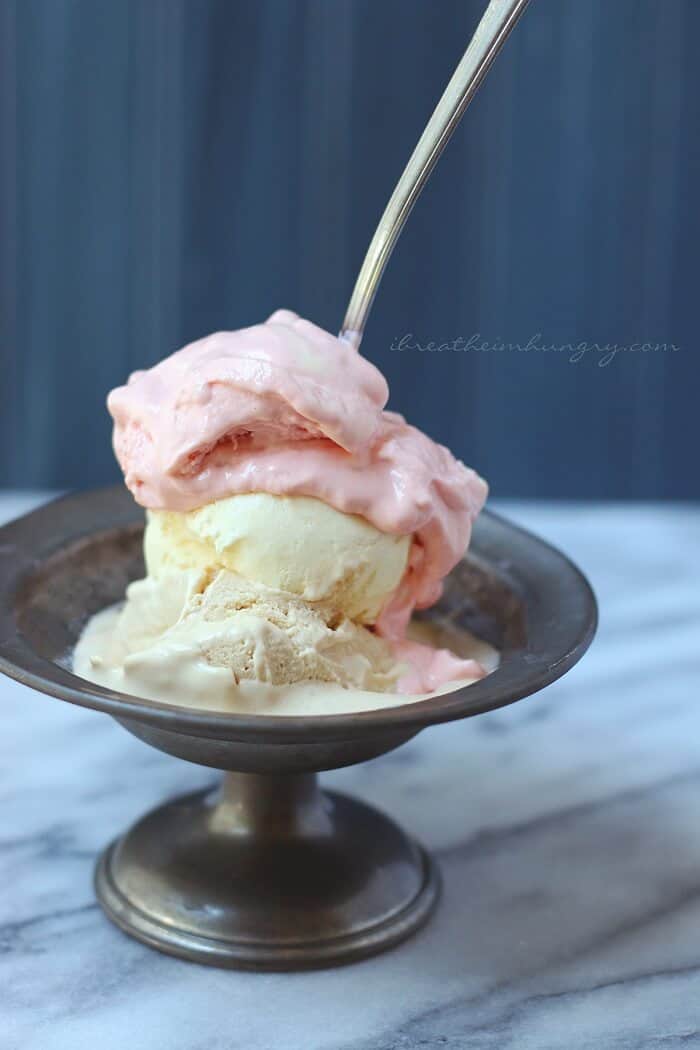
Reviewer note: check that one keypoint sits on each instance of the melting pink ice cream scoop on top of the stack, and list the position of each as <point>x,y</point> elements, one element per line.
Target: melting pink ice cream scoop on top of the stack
<point>287,409</point>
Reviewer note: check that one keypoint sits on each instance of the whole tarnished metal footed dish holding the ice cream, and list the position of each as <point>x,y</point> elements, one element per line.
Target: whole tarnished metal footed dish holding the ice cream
<point>266,871</point>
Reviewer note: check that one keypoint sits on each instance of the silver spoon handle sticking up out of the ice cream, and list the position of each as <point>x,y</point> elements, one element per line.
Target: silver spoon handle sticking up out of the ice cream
<point>497,23</point>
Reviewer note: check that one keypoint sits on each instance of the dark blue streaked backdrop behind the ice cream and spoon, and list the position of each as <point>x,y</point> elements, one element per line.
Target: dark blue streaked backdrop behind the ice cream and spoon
<point>172,167</point>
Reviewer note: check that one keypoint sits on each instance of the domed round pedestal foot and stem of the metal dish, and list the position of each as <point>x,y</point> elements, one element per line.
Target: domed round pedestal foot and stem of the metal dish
<point>267,873</point>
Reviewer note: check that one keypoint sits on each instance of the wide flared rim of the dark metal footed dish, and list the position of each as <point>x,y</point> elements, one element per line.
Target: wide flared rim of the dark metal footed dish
<point>561,613</point>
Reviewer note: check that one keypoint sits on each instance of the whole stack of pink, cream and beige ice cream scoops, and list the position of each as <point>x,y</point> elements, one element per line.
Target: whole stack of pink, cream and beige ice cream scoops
<point>293,526</point>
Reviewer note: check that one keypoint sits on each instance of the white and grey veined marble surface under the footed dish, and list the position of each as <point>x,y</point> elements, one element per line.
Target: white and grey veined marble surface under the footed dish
<point>567,828</point>
